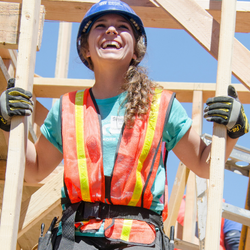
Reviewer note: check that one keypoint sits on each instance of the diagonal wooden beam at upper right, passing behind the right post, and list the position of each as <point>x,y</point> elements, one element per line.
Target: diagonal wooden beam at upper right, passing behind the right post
<point>205,30</point>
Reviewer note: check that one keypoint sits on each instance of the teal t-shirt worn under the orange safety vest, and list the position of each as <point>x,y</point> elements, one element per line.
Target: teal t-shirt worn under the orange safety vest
<point>112,117</point>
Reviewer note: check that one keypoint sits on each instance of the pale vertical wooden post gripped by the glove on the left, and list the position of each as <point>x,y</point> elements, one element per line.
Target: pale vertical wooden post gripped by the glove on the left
<point>18,135</point>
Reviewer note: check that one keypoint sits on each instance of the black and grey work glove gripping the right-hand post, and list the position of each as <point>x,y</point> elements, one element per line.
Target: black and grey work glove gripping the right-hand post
<point>228,110</point>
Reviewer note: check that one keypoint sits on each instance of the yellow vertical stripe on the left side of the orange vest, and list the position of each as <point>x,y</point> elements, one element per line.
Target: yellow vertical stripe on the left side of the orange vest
<point>82,164</point>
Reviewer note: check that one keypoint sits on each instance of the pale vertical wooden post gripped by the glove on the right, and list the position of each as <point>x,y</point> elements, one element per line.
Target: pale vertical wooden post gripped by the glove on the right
<point>224,73</point>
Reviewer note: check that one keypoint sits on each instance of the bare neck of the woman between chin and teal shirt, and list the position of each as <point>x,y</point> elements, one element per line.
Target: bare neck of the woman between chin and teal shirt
<point>108,82</point>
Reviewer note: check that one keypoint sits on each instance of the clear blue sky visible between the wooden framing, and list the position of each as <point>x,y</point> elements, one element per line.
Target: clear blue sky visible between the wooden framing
<point>172,56</point>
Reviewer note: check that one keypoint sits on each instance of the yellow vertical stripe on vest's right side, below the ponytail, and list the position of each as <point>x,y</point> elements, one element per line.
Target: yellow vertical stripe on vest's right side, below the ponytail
<point>146,147</point>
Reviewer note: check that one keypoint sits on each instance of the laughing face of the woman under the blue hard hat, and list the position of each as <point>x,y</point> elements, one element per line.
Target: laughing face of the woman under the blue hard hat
<point>111,39</point>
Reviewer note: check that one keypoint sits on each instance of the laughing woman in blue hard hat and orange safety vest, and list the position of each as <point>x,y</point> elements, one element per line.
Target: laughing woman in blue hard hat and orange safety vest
<point>110,139</point>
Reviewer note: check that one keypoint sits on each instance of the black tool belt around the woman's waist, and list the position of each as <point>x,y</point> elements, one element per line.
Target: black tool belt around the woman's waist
<point>84,211</point>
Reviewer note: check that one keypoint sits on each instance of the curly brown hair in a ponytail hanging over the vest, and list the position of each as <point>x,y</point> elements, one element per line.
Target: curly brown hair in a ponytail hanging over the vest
<point>139,87</point>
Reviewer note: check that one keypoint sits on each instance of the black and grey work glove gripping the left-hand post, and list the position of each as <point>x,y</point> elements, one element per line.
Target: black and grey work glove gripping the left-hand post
<point>14,101</point>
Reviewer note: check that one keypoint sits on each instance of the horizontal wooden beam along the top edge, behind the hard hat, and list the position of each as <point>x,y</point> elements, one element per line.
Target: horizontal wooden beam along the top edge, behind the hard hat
<point>73,11</point>
